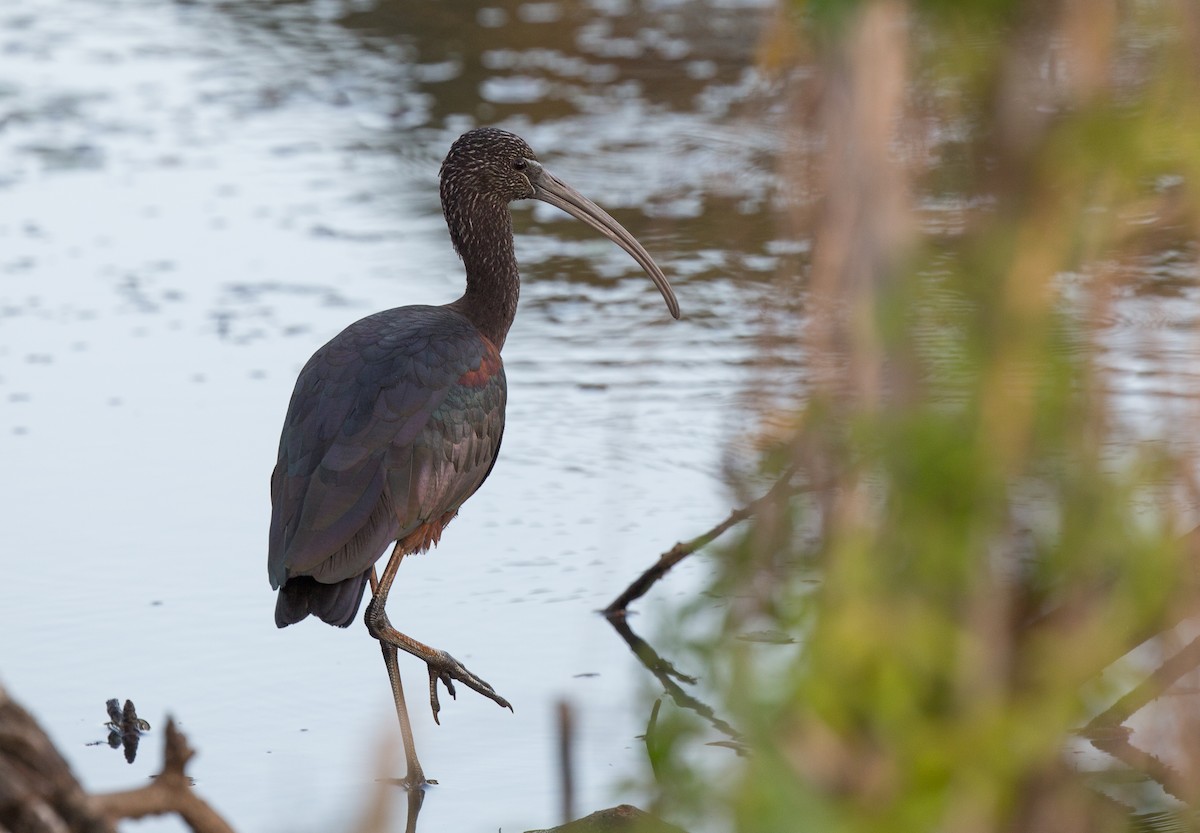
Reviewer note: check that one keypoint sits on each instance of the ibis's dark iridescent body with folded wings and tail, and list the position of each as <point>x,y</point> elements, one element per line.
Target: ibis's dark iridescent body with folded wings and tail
<point>392,427</point>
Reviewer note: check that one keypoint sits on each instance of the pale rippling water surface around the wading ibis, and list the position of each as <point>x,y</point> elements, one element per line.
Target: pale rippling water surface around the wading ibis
<point>194,196</point>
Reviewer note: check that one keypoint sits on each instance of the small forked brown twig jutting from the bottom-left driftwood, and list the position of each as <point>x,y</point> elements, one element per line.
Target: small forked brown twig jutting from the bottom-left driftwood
<point>170,793</point>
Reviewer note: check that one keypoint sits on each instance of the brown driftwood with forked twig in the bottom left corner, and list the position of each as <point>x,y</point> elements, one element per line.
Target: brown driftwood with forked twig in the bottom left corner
<point>39,794</point>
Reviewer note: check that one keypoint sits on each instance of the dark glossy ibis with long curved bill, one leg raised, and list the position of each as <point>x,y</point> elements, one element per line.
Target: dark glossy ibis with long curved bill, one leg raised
<point>398,421</point>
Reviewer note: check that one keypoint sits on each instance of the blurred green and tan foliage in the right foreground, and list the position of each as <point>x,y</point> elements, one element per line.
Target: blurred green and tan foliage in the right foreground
<point>980,540</point>
